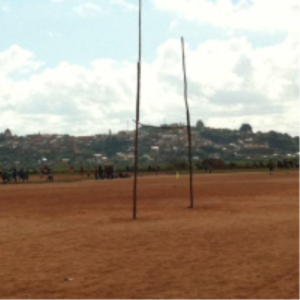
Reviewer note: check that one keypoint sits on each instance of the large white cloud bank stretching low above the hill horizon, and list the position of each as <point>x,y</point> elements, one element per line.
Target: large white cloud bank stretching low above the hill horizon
<point>229,82</point>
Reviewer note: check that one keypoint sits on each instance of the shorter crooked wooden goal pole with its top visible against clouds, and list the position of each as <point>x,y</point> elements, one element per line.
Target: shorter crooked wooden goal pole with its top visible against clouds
<point>188,124</point>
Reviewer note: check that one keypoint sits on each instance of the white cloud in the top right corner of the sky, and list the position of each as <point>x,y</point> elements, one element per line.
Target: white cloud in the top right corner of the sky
<point>265,15</point>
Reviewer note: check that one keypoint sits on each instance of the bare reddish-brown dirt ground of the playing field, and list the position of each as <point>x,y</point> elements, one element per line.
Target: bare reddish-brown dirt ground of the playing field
<point>240,241</point>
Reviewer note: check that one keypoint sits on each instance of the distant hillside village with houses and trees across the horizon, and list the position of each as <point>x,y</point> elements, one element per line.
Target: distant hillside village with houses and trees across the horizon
<point>157,146</point>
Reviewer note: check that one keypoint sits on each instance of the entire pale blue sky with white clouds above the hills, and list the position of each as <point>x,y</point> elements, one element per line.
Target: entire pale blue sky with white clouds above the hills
<point>69,66</point>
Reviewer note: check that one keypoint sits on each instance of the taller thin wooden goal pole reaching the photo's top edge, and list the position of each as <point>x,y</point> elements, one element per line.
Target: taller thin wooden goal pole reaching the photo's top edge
<point>136,149</point>
